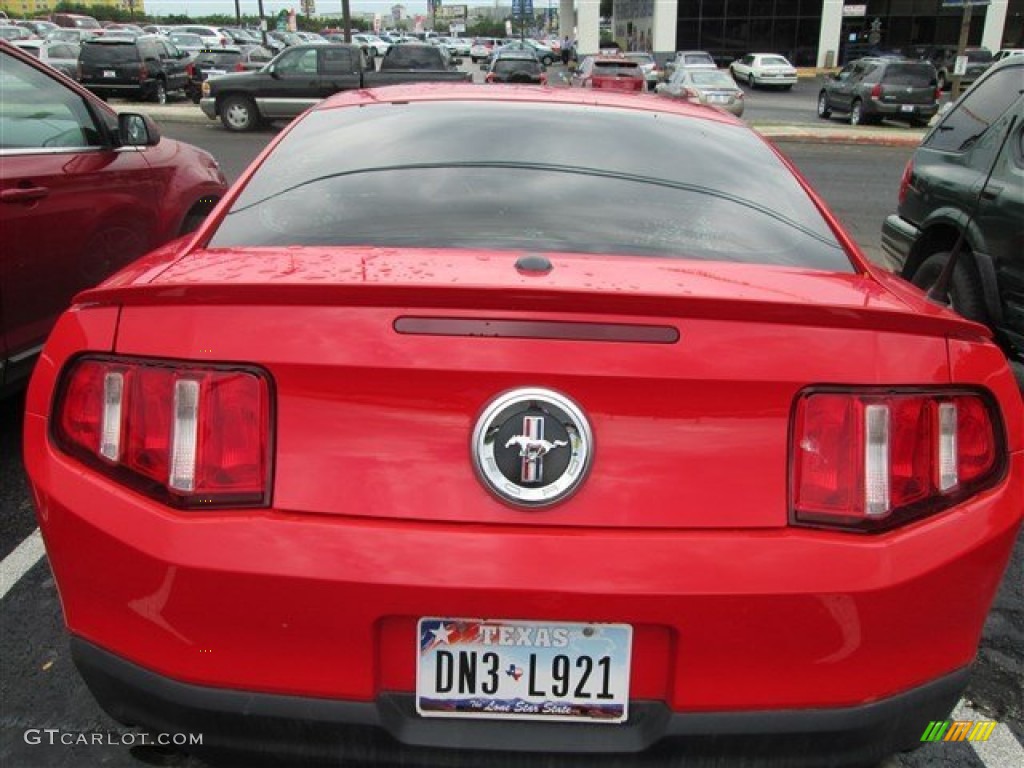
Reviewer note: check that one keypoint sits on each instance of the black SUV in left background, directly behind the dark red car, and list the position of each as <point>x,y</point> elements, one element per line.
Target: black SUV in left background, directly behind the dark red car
<point>148,67</point>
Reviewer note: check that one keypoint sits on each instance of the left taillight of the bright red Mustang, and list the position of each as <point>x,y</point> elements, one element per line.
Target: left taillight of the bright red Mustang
<point>189,436</point>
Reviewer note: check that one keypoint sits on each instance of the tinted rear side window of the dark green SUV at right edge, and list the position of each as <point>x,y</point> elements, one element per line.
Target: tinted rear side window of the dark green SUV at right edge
<point>979,108</point>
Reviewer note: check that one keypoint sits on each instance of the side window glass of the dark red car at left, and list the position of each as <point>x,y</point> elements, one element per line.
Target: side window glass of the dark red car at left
<point>37,112</point>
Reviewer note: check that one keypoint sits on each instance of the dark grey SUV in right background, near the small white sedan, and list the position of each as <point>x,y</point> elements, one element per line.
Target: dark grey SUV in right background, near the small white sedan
<point>871,90</point>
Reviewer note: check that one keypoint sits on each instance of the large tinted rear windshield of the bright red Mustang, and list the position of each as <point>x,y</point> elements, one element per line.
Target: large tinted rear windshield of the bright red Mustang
<point>681,188</point>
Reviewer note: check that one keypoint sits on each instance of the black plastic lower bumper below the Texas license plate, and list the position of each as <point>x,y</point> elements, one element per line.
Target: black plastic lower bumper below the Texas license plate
<point>389,732</point>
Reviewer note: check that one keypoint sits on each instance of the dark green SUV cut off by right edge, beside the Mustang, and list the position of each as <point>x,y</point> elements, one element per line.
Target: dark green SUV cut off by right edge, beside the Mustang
<point>942,192</point>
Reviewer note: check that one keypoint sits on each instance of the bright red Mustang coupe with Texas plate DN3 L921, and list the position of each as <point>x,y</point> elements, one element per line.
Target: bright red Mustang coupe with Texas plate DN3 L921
<point>633,451</point>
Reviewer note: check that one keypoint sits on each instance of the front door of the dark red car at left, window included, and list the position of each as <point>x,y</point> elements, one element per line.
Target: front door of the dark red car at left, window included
<point>73,209</point>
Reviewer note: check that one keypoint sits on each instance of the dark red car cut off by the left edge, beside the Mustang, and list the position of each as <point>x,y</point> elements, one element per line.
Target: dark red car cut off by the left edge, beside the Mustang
<point>75,206</point>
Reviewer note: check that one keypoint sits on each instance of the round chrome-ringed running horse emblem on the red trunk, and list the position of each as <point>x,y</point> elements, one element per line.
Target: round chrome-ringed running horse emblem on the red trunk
<point>533,447</point>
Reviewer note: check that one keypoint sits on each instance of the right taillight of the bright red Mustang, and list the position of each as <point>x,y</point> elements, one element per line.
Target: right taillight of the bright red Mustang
<point>870,461</point>
